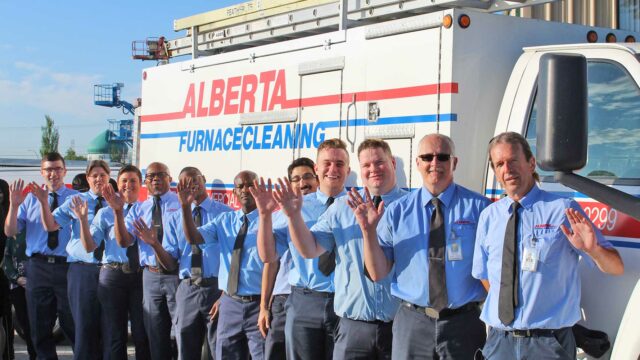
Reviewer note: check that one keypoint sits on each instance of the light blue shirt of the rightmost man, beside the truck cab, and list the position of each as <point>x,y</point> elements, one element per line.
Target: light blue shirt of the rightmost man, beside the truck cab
<point>548,298</point>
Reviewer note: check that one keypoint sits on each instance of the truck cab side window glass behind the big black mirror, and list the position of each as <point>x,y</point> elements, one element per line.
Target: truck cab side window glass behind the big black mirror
<point>614,126</point>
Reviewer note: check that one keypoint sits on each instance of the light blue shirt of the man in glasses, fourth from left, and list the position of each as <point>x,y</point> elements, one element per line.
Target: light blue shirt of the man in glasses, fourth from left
<point>169,204</point>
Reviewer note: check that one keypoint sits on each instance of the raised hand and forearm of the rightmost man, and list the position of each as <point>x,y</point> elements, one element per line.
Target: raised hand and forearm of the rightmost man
<point>583,237</point>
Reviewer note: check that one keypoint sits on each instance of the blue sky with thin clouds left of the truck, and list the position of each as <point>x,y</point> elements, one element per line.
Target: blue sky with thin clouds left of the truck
<point>53,52</point>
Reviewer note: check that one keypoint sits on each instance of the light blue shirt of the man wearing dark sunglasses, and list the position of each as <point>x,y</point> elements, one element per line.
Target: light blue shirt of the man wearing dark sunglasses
<point>404,235</point>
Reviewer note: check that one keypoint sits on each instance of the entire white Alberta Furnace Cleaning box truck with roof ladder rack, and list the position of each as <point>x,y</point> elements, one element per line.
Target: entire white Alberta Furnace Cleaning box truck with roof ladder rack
<point>268,81</point>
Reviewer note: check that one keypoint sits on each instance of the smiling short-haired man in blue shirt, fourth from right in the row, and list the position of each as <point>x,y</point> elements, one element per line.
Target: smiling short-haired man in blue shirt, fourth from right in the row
<point>311,319</point>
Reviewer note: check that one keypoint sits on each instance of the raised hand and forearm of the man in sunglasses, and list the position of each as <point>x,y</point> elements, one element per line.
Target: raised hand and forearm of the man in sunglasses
<point>368,216</point>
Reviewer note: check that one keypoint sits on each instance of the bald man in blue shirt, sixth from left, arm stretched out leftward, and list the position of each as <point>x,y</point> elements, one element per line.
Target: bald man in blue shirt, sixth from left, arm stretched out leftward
<point>240,273</point>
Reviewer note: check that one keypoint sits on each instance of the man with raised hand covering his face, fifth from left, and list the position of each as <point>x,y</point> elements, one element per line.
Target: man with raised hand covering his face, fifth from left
<point>198,289</point>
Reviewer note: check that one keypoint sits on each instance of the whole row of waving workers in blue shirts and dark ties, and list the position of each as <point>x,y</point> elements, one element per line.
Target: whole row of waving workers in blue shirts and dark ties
<point>306,269</point>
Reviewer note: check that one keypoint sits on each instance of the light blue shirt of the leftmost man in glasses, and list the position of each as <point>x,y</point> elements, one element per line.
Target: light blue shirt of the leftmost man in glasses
<point>30,219</point>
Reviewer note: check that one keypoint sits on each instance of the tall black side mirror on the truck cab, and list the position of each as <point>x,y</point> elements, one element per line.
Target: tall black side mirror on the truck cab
<point>562,112</point>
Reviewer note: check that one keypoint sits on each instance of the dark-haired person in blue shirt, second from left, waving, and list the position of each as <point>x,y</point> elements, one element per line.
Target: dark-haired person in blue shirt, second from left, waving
<point>84,266</point>
